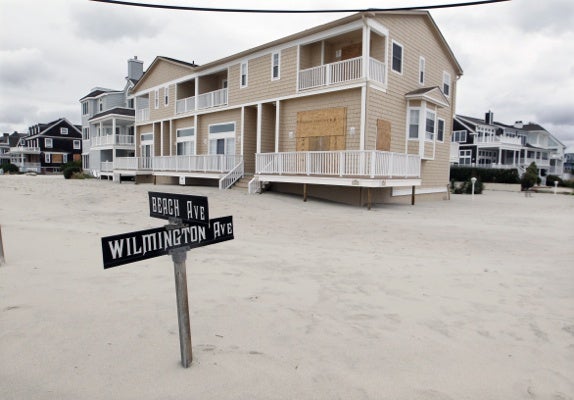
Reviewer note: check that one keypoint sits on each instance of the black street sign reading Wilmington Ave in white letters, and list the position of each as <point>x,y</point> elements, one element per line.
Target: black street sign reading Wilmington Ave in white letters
<point>130,247</point>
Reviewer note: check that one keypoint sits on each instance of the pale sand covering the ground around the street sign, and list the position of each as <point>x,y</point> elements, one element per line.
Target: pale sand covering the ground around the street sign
<point>460,299</point>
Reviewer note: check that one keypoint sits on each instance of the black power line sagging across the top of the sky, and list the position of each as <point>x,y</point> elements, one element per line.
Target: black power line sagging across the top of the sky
<point>263,11</point>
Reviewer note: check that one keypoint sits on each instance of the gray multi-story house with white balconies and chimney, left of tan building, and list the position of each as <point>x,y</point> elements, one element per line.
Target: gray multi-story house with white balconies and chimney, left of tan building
<point>108,124</point>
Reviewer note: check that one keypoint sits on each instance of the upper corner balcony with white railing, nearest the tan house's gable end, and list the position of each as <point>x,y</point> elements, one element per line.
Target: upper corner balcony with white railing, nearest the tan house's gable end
<point>341,59</point>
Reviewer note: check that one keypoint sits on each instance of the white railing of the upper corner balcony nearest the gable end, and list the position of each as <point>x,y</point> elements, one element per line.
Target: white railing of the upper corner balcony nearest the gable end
<point>339,72</point>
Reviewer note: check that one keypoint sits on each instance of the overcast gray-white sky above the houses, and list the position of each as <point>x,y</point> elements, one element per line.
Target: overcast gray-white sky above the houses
<point>517,56</point>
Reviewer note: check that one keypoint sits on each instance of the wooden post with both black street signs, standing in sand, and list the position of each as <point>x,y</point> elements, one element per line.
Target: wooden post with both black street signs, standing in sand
<point>189,227</point>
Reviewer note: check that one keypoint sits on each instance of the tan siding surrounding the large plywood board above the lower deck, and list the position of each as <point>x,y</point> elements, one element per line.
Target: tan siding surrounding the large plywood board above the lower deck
<point>349,99</point>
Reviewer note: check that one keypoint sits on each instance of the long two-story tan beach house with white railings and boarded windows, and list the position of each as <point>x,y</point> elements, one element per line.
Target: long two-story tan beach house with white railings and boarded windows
<point>358,110</point>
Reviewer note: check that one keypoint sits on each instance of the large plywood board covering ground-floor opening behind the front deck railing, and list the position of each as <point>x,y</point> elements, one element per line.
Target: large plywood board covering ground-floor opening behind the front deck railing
<point>322,130</point>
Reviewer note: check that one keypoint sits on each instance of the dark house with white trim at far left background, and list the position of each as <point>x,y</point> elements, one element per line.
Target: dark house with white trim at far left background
<point>47,146</point>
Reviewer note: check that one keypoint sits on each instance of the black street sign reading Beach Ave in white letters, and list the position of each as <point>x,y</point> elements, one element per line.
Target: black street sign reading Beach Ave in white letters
<point>188,208</point>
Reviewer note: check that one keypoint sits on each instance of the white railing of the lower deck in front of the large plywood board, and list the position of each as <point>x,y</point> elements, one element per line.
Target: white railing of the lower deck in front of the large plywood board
<point>349,163</point>
